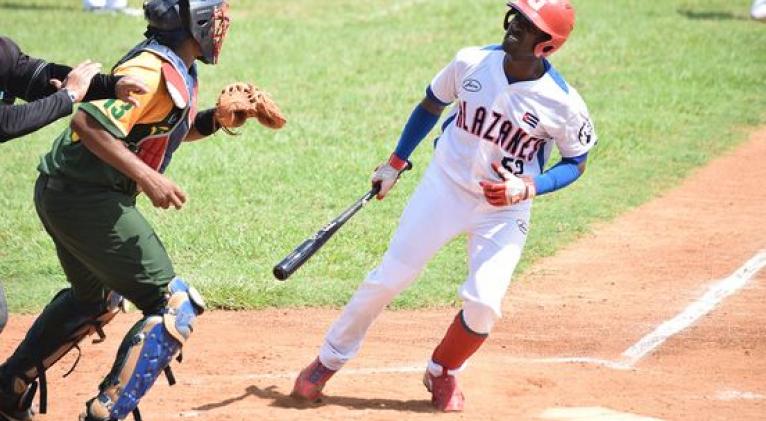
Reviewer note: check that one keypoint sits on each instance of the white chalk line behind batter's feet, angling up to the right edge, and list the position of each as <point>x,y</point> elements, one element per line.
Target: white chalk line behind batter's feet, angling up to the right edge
<point>715,295</point>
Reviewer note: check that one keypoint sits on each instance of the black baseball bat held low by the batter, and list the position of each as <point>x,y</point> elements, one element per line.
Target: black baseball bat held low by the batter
<point>303,252</point>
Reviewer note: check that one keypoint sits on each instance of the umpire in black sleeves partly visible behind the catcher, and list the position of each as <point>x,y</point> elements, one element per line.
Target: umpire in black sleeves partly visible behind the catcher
<point>51,90</point>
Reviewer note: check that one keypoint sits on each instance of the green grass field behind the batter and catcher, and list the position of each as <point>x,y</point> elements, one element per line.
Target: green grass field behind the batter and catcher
<point>671,84</point>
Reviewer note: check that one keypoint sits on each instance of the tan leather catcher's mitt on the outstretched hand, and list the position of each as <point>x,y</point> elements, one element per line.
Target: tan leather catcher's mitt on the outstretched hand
<point>240,101</point>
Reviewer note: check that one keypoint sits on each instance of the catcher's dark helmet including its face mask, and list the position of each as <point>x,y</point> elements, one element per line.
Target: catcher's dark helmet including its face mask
<point>206,21</point>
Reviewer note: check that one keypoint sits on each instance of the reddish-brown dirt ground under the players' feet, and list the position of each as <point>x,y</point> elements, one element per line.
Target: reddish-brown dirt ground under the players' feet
<point>578,334</point>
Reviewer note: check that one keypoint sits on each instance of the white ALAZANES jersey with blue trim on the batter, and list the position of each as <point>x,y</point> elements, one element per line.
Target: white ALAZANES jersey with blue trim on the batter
<point>495,119</point>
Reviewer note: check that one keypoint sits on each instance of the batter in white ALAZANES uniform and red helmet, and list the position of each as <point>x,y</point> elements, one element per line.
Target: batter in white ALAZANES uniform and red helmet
<point>511,108</point>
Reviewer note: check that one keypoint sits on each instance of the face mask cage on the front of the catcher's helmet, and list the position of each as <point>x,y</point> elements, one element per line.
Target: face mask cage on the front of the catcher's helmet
<point>208,22</point>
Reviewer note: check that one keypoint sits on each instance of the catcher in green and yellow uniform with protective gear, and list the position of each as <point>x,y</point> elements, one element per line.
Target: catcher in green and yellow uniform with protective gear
<point>85,197</point>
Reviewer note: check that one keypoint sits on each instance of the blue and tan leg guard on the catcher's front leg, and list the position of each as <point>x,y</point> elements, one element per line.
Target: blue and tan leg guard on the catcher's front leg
<point>145,352</point>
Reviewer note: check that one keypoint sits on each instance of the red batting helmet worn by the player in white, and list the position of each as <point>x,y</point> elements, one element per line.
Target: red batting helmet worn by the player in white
<point>554,17</point>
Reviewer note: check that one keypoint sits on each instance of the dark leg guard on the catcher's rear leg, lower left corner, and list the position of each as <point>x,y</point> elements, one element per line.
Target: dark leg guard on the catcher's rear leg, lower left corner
<point>59,328</point>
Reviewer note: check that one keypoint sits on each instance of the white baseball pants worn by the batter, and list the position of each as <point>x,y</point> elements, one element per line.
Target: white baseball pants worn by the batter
<point>438,211</point>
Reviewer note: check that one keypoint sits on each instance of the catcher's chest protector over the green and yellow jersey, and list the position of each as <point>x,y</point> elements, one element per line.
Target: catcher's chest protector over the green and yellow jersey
<point>155,142</point>
